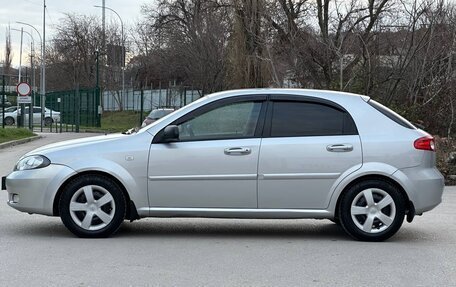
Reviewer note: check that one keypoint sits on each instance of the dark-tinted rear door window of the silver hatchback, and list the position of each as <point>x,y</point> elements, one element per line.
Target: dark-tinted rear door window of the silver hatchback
<point>291,119</point>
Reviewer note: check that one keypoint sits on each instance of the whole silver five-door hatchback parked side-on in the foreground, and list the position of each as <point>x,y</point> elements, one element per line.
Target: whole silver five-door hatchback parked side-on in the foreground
<point>258,153</point>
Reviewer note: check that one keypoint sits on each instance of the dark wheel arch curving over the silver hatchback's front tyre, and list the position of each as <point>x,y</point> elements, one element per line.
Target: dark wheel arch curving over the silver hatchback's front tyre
<point>131,211</point>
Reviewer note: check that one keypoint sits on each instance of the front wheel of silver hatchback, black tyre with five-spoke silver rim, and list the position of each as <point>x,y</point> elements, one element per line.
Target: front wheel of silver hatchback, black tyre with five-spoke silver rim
<point>92,206</point>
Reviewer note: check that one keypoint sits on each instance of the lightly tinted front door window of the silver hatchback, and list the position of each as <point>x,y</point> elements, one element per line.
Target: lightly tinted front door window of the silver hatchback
<point>237,120</point>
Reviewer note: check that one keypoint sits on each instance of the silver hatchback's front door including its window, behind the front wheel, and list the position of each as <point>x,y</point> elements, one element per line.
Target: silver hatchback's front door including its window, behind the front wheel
<point>214,163</point>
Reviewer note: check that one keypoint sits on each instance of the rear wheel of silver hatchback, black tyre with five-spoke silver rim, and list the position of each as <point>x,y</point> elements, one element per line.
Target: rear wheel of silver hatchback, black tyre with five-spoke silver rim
<point>372,210</point>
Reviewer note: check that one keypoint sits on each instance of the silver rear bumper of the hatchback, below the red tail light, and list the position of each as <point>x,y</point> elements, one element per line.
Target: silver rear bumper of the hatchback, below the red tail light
<point>424,186</point>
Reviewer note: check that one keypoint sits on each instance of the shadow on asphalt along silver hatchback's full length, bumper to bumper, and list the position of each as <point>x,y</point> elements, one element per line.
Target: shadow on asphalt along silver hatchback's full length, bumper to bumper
<point>181,228</point>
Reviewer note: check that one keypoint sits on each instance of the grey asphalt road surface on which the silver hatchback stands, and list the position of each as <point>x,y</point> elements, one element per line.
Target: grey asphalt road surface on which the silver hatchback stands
<point>38,250</point>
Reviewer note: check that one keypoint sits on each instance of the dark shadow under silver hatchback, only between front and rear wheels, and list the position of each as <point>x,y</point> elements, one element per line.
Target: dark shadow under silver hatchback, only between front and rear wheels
<point>233,228</point>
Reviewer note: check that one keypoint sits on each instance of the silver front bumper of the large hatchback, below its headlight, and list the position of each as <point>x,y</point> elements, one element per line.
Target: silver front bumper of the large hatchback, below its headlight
<point>33,191</point>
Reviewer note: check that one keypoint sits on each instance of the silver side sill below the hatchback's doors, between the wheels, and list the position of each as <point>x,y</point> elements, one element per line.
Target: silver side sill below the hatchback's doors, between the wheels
<point>235,213</point>
